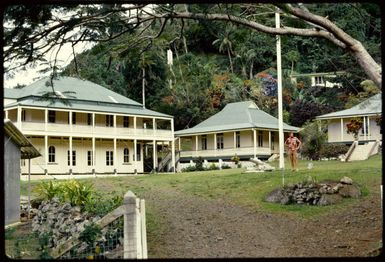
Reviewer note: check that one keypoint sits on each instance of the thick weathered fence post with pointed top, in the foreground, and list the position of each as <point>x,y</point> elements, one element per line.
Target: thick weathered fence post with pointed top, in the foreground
<point>130,225</point>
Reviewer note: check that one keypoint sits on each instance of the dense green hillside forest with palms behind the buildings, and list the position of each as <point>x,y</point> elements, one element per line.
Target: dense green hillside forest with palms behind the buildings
<point>216,63</point>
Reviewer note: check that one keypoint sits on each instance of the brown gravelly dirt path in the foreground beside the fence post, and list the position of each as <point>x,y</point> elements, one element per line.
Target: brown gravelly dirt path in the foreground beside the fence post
<point>204,228</point>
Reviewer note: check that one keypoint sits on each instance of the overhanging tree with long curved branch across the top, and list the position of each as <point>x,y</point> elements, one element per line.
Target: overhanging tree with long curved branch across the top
<point>32,31</point>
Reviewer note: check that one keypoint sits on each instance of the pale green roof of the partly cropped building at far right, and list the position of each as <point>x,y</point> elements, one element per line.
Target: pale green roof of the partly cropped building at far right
<point>371,106</point>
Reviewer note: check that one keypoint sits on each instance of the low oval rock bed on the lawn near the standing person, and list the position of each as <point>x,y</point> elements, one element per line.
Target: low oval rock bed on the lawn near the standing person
<point>311,193</point>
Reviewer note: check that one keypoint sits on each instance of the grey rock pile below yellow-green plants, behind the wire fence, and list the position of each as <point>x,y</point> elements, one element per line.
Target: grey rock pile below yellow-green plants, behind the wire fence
<point>61,221</point>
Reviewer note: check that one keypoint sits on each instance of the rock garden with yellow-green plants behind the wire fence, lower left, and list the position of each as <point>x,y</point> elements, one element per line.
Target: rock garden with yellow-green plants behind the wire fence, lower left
<point>57,215</point>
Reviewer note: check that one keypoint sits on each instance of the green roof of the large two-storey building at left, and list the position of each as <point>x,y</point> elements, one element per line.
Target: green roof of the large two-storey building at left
<point>88,96</point>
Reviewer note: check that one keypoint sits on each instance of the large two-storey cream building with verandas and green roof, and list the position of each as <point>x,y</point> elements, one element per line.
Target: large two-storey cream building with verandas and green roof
<point>80,127</point>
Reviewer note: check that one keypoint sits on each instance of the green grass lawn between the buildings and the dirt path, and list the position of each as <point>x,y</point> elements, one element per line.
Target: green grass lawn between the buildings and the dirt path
<point>249,189</point>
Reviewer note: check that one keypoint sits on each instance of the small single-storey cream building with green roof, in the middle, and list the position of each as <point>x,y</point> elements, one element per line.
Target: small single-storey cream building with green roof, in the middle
<point>240,129</point>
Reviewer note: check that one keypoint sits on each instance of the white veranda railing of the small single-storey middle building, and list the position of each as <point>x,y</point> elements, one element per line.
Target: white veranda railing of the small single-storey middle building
<point>226,152</point>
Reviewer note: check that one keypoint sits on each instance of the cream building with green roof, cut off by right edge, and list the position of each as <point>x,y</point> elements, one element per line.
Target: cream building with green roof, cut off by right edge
<point>369,111</point>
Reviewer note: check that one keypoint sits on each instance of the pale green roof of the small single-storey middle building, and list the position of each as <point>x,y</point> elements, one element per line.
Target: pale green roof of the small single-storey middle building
<point>236,116</point>
